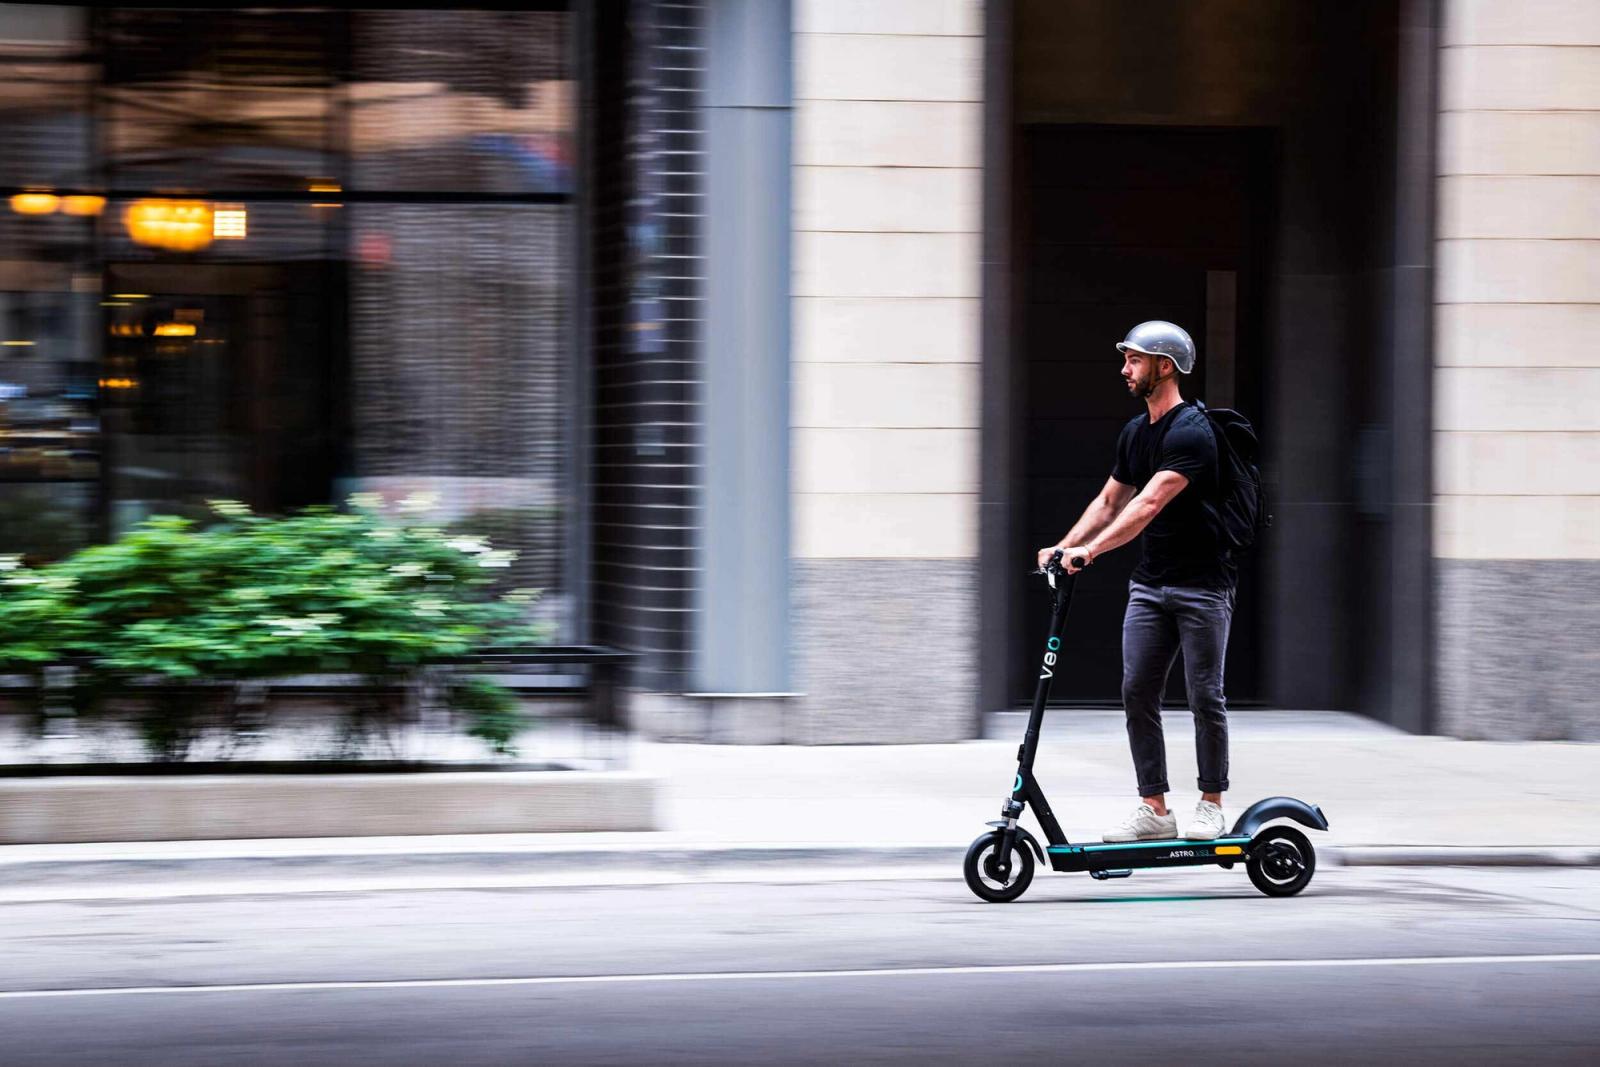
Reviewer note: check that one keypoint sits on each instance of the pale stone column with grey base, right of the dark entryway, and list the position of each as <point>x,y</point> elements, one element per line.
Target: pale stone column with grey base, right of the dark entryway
<point>1518,378</point>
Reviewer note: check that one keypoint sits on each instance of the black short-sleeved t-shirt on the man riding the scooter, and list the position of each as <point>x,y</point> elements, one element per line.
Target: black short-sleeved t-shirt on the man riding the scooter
<point>1180,545</point>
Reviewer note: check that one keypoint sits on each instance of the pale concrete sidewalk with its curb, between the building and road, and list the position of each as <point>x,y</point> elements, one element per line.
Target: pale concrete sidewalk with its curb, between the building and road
<point>1390,799</point>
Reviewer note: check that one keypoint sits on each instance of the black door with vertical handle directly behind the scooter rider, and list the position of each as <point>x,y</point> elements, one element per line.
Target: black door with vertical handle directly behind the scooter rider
<point>1118,226</point>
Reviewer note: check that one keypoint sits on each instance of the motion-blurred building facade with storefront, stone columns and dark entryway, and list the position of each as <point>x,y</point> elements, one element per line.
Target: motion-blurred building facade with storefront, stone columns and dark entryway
<point>778,334</point>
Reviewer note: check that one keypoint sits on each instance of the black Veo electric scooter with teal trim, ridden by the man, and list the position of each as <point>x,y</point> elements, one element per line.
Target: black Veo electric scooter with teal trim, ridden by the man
<point>1001,865</point>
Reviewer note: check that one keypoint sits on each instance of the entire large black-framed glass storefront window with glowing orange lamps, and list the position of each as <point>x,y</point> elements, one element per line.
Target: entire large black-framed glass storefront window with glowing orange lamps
<point>281,257</point>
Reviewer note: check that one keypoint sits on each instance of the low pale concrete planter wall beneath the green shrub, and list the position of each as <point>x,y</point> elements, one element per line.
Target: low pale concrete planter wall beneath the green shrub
<point>225,807</point>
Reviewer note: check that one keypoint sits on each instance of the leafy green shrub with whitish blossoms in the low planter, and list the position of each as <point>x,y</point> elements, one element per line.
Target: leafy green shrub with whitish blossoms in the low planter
<point>174,610</point>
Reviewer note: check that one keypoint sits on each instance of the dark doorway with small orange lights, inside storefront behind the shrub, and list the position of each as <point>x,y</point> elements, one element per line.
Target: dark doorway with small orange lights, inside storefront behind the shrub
<point>223,383</point>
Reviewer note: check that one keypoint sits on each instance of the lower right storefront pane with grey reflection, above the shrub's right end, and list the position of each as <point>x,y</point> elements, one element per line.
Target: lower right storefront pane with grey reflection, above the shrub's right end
<point>458,330</point>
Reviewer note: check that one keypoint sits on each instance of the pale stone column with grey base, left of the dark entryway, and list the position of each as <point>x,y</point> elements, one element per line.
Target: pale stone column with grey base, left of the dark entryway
<point>887,182</point>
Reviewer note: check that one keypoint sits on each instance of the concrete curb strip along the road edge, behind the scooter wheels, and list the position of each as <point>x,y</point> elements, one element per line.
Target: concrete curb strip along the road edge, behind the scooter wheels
<point>684,860</point>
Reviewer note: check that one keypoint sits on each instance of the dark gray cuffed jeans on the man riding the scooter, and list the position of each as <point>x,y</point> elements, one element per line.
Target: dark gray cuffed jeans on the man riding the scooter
<point>1159,625</point>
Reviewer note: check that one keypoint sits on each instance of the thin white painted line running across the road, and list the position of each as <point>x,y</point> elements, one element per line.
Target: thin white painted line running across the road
<point>754,977</point>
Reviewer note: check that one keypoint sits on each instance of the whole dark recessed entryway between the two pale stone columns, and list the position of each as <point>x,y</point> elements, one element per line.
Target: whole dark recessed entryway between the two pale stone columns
<point>1262,174</point>
